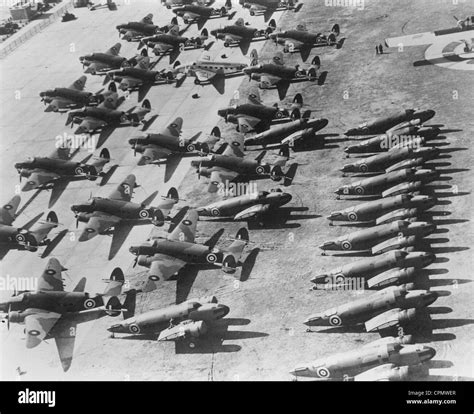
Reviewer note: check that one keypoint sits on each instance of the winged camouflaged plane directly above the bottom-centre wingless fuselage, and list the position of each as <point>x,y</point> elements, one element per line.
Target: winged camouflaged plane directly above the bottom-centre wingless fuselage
<point>165,256</point>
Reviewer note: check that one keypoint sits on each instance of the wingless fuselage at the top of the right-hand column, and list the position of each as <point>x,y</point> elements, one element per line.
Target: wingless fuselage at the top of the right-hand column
<point>382,124</point>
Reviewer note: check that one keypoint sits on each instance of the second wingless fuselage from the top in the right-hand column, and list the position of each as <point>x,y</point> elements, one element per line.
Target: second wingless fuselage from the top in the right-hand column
<point>399,134</point>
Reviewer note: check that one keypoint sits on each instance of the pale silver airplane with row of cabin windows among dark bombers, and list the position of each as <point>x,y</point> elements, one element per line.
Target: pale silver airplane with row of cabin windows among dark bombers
<point>213,72</point>
